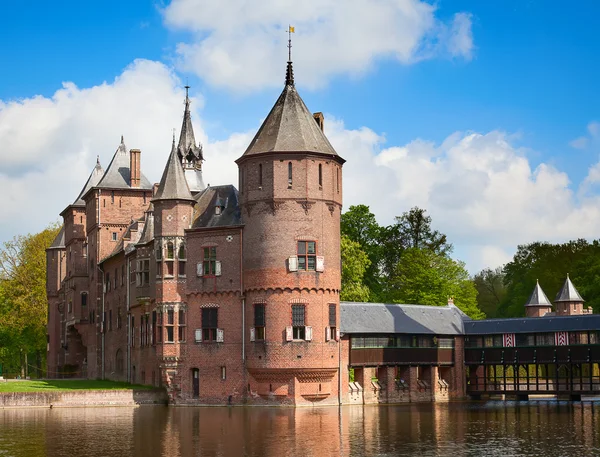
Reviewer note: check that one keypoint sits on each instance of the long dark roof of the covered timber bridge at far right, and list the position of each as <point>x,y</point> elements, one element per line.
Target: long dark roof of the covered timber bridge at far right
<point>534,324</point>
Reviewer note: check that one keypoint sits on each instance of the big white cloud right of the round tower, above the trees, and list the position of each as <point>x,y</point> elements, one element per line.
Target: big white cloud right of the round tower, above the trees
<point>480,190</point>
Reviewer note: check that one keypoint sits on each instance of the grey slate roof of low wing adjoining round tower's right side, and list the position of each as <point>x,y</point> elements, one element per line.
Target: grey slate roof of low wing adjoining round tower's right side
<point>391,318</point>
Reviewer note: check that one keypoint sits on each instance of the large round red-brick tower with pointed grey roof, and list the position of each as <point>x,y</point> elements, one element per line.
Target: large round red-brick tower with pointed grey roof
<point>290,181</point>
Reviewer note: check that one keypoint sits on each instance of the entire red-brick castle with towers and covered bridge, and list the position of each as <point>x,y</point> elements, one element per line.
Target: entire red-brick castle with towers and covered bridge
<point>232,296</point>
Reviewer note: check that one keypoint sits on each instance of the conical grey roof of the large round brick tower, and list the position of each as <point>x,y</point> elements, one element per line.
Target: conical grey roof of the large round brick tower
<point>290,127</point>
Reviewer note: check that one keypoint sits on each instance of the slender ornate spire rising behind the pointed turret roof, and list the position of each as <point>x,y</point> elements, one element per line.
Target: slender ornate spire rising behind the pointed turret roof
<point>190,154</point>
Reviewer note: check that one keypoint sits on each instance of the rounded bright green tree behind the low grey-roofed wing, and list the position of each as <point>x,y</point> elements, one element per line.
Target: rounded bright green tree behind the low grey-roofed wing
<point>426,278</point>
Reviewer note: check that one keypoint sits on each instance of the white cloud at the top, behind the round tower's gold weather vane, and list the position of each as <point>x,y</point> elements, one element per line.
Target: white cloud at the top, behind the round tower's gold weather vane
<point>243,47</point>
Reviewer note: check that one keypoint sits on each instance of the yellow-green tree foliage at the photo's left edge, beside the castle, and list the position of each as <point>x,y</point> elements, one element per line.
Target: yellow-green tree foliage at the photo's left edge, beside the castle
<point>23,303</point>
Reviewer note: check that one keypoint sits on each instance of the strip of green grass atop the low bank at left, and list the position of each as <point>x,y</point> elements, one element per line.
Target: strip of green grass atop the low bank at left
<point>61,385</point>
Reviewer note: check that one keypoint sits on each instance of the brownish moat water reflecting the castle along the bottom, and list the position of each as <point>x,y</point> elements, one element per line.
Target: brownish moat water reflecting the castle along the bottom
<point>457,429</point>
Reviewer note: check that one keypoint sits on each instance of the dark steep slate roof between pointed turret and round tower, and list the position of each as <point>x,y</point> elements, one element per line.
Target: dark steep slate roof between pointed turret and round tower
<point>225,197</point>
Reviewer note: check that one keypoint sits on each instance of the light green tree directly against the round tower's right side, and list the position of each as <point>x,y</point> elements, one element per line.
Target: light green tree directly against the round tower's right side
<point>354,265</point>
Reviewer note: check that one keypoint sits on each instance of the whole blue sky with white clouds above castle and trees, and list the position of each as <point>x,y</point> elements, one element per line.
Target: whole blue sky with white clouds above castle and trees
<point>486,114</point>
